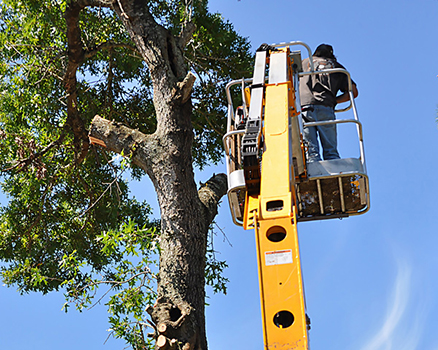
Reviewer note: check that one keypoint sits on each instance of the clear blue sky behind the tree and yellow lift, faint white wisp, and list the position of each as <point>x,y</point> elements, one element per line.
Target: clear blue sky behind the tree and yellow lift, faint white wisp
<point>371,280</point>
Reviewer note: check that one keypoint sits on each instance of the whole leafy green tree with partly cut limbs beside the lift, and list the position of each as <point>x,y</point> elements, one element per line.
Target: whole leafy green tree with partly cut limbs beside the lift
<point>144,79</point>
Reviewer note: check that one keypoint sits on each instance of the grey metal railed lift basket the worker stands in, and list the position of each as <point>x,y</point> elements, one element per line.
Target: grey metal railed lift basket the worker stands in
<point>332,189</point>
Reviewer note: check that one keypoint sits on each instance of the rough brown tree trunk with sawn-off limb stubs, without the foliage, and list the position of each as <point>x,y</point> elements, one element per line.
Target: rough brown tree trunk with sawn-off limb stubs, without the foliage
<point>186,213</point>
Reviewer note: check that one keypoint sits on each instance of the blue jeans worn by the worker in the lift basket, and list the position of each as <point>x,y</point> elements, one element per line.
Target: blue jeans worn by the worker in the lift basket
<point>327,133</point>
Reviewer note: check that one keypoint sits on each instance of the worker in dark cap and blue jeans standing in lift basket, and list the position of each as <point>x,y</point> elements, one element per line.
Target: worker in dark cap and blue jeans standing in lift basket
<point>318,96</point>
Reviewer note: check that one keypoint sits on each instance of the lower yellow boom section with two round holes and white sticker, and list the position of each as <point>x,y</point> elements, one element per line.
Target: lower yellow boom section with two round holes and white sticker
<point>281,285</point>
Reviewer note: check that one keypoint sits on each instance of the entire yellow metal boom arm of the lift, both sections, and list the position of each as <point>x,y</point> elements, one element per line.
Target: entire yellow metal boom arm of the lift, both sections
<point>272,214</point>
